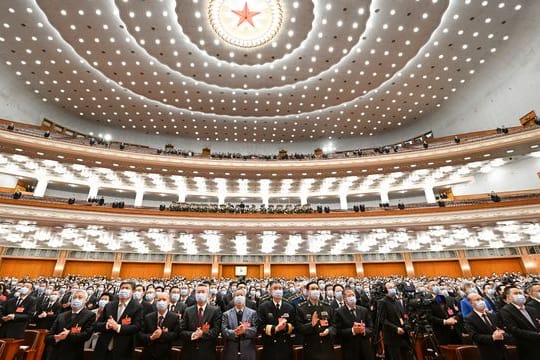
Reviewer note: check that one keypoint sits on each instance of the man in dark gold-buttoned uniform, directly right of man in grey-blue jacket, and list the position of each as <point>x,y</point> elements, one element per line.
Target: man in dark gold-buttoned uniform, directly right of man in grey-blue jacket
<point>275,323</point>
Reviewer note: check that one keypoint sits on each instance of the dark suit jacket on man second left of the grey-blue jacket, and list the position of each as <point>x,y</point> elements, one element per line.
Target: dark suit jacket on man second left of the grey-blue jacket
<point>159,348</point>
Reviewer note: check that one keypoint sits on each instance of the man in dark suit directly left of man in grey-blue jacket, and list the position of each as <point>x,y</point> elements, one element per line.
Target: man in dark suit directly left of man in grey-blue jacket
<point>200,327</point>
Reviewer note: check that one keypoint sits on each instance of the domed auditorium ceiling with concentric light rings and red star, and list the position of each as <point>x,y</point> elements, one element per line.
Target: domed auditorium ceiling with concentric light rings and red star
<point>253,71</point>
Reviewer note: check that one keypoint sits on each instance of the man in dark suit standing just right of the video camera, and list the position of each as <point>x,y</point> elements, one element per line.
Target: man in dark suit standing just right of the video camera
<point>444,316</point>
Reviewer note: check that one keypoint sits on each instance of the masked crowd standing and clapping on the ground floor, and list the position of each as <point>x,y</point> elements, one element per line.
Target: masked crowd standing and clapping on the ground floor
<point>365,316</point>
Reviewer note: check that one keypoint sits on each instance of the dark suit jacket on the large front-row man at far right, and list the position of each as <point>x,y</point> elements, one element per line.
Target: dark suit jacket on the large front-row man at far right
<point>525,334</point>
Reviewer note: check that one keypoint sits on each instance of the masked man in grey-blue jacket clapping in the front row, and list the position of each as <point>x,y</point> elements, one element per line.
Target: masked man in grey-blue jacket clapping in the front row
<point>239,330</point>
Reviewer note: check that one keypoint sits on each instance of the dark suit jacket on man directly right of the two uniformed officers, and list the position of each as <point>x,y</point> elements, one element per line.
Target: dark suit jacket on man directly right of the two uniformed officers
<point>354,346</point>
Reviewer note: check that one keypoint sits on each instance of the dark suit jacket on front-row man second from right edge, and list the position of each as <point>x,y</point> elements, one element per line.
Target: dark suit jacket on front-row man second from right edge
<point>481,334</point>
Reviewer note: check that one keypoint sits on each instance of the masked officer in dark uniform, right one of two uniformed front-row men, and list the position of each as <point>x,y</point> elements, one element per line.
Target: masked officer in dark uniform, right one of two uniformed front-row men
<point>315,320</point>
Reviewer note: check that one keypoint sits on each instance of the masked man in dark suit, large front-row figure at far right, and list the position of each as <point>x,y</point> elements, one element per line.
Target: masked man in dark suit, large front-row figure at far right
<point>521,322</point>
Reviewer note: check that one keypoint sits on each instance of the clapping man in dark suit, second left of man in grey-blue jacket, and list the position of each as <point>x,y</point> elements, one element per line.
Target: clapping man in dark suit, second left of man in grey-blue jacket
<point>159,330</point>
